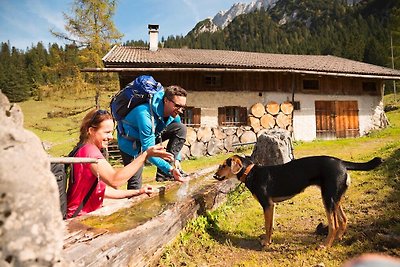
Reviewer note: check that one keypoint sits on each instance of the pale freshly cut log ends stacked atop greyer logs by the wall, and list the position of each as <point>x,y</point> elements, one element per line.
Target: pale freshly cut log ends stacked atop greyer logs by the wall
<point>271,116</point>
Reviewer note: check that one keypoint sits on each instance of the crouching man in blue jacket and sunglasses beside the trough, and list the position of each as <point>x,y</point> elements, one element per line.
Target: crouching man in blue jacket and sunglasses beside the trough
<point>149,124</point>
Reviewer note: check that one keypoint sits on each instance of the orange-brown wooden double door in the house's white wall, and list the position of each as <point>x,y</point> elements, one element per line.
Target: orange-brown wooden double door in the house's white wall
<point>336,119</point>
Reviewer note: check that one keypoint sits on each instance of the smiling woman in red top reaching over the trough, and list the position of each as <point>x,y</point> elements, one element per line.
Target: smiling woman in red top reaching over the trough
<point>95,133</point>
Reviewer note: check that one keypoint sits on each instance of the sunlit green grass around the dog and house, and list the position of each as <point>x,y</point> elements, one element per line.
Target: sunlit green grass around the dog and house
<point>229,235</point>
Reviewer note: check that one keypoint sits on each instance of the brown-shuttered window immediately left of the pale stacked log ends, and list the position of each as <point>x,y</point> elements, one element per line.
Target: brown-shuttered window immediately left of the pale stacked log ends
<point>232,116</point>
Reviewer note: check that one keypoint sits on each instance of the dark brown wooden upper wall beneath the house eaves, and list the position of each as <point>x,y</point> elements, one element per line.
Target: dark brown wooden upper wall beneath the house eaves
<point>259,81</point>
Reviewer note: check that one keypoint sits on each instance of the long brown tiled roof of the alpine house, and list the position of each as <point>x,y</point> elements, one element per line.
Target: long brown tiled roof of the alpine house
<point>127,58</point>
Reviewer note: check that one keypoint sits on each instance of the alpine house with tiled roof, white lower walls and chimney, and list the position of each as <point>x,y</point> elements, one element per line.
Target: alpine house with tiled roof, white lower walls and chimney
<point>332,97</point>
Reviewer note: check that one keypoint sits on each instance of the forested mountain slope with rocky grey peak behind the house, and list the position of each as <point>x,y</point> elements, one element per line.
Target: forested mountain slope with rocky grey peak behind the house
<point>353,29</point>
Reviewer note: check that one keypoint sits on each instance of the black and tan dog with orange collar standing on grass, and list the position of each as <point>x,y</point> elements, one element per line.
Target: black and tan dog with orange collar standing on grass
<point>271,184</point>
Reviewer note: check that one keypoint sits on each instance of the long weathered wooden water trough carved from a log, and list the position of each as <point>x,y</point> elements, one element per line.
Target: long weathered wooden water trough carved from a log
<point>142,244</point>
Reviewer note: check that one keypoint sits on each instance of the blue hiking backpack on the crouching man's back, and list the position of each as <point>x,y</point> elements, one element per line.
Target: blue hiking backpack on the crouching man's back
<point>138,92</point>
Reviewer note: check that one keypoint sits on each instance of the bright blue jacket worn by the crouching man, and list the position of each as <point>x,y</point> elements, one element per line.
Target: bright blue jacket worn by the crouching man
<point>138,126</point>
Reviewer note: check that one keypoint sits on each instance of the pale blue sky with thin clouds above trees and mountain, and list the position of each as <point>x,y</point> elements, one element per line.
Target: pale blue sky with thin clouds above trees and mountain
<point>26,22</point>
